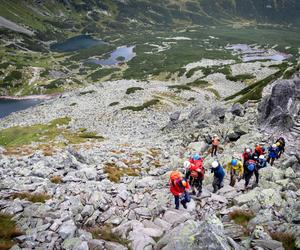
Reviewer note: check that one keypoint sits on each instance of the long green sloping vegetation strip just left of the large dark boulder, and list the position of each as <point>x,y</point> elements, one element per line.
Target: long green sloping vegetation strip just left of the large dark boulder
<point>254,91</point>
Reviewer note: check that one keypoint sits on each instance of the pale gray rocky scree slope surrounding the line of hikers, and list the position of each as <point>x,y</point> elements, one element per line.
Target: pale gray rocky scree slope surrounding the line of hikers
<point>90,209</point>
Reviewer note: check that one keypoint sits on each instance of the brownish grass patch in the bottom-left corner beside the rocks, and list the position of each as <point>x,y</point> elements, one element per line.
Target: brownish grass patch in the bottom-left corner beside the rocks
<point>8,230</point>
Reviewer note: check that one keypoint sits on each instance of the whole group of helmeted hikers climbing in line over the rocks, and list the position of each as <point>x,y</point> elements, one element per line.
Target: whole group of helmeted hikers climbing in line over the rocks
<point>250,162</point>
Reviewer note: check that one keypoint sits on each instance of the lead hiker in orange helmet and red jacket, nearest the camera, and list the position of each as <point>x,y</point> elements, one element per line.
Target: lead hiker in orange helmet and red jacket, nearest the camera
<point>179,188</point>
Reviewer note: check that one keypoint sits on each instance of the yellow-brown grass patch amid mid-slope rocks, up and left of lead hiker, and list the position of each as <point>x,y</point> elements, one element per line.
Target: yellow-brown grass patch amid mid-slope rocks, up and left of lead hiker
<point>115,173</point>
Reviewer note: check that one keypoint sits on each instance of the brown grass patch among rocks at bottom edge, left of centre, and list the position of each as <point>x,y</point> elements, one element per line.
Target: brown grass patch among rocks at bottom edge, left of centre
<point>105,233</point>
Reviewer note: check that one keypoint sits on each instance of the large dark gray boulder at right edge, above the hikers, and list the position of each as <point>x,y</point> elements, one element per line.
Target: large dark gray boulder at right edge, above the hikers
<point>281,105</point>
